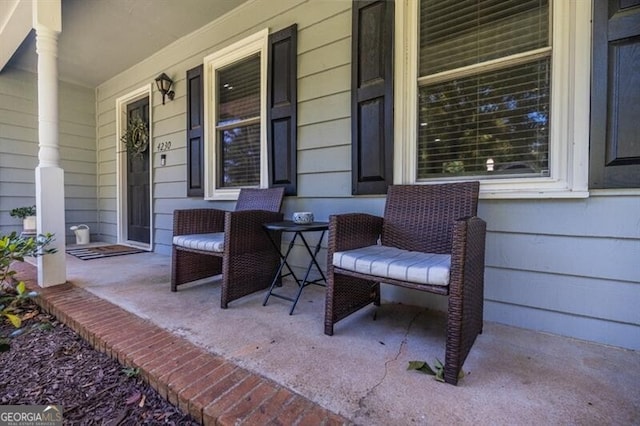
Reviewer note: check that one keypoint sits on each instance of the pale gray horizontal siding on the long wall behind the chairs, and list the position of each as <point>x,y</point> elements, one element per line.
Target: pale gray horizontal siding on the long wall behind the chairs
<point>564,266</point>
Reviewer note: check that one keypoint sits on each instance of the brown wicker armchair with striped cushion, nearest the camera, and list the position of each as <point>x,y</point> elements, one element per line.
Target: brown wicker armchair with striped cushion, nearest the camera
<point>436,219</point>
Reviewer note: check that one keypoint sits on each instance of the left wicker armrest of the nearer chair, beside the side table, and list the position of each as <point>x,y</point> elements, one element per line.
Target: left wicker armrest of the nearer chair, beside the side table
<point>353,230</point>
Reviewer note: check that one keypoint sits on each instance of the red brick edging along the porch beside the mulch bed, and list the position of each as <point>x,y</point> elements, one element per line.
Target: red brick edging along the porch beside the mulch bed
<point>213,390</point>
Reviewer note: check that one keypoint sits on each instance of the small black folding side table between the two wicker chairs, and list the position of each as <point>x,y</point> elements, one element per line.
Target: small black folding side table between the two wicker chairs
<point>298,229</point>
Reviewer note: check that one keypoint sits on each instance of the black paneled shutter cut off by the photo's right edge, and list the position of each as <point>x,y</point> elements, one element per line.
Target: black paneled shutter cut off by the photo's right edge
<point>615,95</point>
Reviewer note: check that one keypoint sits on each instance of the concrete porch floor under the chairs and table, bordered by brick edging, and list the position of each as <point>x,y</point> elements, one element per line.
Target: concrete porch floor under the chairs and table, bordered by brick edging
<point>514,376</point>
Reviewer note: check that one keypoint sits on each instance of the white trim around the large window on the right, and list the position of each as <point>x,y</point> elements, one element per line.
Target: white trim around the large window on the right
<point>570,90</point>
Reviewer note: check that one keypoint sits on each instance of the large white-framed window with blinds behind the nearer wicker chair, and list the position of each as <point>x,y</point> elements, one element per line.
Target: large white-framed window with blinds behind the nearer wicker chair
<point>498,91</point>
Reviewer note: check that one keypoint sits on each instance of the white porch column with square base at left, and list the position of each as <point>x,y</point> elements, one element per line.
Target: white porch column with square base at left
<point>49,174</point>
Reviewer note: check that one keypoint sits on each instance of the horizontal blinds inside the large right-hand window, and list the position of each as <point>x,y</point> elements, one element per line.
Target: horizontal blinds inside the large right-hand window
<point>492,121</point>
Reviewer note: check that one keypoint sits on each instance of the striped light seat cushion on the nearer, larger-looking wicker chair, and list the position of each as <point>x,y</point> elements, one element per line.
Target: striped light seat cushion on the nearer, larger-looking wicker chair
<point>391,262</point>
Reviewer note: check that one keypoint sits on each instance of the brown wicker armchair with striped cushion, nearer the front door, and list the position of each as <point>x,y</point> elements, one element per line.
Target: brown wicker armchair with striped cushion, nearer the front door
<point>208,242</point>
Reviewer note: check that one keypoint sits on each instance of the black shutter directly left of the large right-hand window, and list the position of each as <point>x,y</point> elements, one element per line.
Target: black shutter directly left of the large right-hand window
<point>372,96</point>
